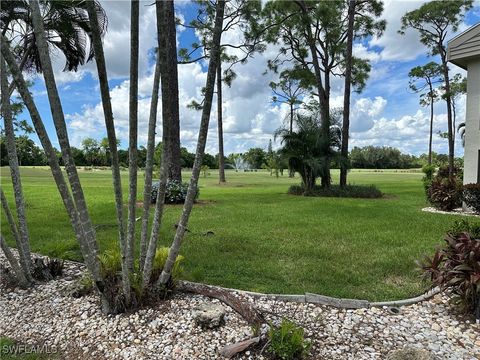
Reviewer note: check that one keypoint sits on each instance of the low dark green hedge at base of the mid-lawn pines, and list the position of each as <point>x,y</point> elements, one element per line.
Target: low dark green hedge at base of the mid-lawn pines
<point>349,191</point>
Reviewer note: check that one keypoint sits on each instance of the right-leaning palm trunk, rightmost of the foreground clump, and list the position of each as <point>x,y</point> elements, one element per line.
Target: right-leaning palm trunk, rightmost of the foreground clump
<point>202,139</point>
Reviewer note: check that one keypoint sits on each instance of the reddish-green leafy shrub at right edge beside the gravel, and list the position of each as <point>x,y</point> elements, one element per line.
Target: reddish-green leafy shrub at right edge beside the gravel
<point>456,267</point>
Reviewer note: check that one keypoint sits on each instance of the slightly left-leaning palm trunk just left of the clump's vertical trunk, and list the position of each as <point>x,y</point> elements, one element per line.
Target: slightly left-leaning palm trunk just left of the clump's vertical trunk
<point>112,138</point>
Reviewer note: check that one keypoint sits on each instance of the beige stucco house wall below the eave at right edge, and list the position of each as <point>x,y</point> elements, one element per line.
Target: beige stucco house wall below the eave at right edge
<point>472,126</point>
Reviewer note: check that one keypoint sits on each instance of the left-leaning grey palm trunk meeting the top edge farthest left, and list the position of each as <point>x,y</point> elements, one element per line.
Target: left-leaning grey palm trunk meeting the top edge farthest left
<point>62,134</point>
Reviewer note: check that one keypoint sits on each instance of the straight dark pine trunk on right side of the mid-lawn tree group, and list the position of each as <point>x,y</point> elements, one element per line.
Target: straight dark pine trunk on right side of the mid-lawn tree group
<point>346,95</point>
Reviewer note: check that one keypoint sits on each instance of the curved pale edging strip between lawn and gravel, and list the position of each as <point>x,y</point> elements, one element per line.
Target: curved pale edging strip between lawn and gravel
<point>330,301</point>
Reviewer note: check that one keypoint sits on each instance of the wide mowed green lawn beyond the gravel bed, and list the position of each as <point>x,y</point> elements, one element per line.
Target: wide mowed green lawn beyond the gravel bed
<point>264,239</point>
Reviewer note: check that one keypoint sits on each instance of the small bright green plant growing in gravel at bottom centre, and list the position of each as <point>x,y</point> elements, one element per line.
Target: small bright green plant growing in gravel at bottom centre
<point>287,341</point>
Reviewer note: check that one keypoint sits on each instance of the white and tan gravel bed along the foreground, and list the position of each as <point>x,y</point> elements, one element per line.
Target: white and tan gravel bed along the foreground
<point>77,328</point>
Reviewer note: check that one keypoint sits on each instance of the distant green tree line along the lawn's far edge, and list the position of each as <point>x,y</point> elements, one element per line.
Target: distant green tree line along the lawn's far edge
<point>97,153</point>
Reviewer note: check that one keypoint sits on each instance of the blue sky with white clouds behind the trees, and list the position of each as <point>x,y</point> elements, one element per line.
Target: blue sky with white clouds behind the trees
<point>386,113</point>
